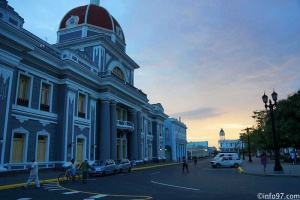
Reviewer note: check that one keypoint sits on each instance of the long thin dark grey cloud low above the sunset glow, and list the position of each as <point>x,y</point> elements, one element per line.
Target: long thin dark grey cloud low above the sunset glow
<point>200,113</point>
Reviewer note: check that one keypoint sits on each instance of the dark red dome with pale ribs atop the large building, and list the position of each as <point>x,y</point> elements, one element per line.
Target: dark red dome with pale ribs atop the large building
<point>94,15</point>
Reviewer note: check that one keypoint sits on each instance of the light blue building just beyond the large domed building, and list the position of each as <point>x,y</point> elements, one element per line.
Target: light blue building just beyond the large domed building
<point>175,139</point>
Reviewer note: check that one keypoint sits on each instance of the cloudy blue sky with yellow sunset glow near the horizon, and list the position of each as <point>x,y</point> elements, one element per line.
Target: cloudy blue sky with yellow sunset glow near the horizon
<point>207,62</point>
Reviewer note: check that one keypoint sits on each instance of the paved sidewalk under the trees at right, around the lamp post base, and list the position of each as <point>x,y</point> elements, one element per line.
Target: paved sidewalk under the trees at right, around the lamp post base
<point>255,168</point>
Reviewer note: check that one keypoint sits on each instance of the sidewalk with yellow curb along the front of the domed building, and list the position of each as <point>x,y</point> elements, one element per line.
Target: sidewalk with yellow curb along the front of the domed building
<point>18,179</point>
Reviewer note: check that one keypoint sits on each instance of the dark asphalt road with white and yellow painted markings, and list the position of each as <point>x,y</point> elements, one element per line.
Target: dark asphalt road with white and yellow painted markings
<point>202,182</point>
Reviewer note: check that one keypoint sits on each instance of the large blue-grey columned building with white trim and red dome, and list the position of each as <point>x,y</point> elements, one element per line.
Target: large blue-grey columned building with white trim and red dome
<point>76,98</point>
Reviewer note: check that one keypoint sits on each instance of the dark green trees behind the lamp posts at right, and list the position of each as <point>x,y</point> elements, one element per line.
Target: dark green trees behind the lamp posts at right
<point>287,125</point>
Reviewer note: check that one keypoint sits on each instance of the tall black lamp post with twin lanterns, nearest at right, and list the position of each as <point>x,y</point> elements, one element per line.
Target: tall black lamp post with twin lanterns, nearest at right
<point>271,106</point>
